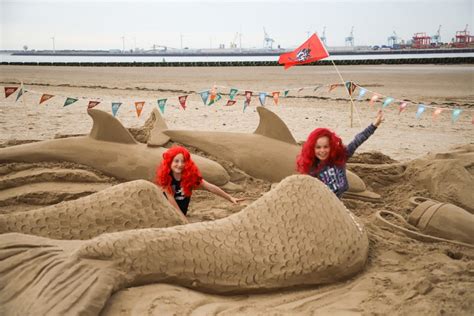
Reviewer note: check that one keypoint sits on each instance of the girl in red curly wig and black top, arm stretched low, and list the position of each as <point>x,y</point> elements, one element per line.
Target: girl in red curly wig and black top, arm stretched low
<point>178,176</point>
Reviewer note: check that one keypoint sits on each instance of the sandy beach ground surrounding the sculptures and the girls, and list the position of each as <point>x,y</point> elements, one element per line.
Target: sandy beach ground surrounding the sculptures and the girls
<point>403,276</point>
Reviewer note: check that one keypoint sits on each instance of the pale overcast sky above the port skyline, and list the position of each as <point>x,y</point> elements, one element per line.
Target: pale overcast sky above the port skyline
<point>114,24</point>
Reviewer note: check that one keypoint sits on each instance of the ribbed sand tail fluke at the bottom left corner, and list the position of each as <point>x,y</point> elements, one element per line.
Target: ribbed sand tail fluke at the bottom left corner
<point>54,281</point>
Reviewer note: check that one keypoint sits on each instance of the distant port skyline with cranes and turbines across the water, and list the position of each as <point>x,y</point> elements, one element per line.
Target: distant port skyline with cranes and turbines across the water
<point>419,43</point>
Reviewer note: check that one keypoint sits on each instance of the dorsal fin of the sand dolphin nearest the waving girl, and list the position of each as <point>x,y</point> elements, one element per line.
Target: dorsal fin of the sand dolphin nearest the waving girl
<point>272,126</point>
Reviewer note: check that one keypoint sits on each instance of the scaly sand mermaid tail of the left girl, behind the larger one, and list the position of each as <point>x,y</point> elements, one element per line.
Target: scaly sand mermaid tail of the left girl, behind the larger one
<point>130,205</point>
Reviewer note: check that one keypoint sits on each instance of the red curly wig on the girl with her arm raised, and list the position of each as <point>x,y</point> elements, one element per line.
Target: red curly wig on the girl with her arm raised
<point>337,153</point>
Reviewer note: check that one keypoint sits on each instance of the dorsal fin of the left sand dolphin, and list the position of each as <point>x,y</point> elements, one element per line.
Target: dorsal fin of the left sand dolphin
<point>107,128</point>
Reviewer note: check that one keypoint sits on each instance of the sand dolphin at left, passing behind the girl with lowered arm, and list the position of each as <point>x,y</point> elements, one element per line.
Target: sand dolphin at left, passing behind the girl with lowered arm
<point>111,149</point>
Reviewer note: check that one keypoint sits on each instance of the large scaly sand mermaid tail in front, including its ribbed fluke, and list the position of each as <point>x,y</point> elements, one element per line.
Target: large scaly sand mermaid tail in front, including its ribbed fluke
<point>281,240</point>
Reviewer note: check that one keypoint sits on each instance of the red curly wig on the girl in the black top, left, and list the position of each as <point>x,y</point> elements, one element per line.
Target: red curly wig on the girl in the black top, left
<point>191,176</point>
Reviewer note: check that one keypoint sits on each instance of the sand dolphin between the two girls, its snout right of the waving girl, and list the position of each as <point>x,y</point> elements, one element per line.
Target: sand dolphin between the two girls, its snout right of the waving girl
<point>269,153</point>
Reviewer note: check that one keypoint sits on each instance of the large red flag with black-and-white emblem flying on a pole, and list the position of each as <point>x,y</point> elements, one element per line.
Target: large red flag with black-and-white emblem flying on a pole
<point>311,50</point>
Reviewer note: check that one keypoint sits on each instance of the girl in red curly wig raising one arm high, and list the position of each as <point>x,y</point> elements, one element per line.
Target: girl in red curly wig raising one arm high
<point>324,156</point>
